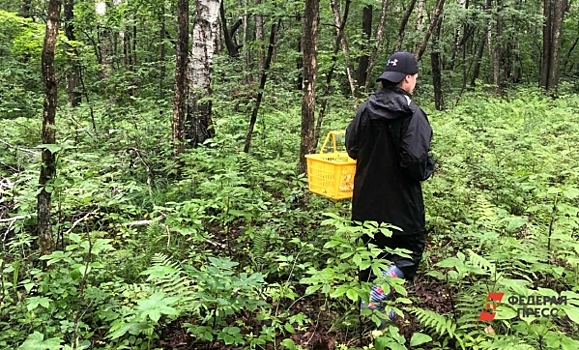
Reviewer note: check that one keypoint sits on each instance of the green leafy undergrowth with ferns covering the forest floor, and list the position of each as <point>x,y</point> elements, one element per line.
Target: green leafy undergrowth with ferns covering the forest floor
<point>228,250</point>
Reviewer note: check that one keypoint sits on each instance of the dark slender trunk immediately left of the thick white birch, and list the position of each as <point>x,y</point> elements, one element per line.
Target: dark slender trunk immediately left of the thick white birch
<point>180,93</point>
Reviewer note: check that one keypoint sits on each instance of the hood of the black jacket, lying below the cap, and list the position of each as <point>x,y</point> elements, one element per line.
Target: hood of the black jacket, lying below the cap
<point>389,103</point>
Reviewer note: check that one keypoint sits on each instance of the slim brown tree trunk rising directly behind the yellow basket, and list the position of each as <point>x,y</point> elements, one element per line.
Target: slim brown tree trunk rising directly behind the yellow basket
<point>309,47</point>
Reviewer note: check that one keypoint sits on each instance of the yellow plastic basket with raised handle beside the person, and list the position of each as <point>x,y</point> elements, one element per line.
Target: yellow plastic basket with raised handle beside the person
<point>331,174</point>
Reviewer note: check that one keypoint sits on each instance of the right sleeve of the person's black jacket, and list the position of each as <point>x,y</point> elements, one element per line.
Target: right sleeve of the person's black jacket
<point>415,148</point>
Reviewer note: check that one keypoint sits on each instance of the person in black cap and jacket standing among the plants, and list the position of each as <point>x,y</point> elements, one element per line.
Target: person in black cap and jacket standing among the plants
<point>390,140</point>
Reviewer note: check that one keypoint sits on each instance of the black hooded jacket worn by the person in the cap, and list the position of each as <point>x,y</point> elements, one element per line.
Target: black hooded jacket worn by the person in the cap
<point>390,140</point>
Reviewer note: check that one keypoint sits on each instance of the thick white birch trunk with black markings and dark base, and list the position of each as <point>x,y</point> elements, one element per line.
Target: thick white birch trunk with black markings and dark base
<point>198,122</point>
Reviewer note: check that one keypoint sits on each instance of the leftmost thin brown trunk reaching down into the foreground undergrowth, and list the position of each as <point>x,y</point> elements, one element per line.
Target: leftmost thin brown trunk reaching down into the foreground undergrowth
<point>48,167</point>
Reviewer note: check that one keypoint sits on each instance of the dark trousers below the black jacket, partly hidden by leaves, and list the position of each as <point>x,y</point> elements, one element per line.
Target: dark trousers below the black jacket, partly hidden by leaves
<point>414,243</point>
